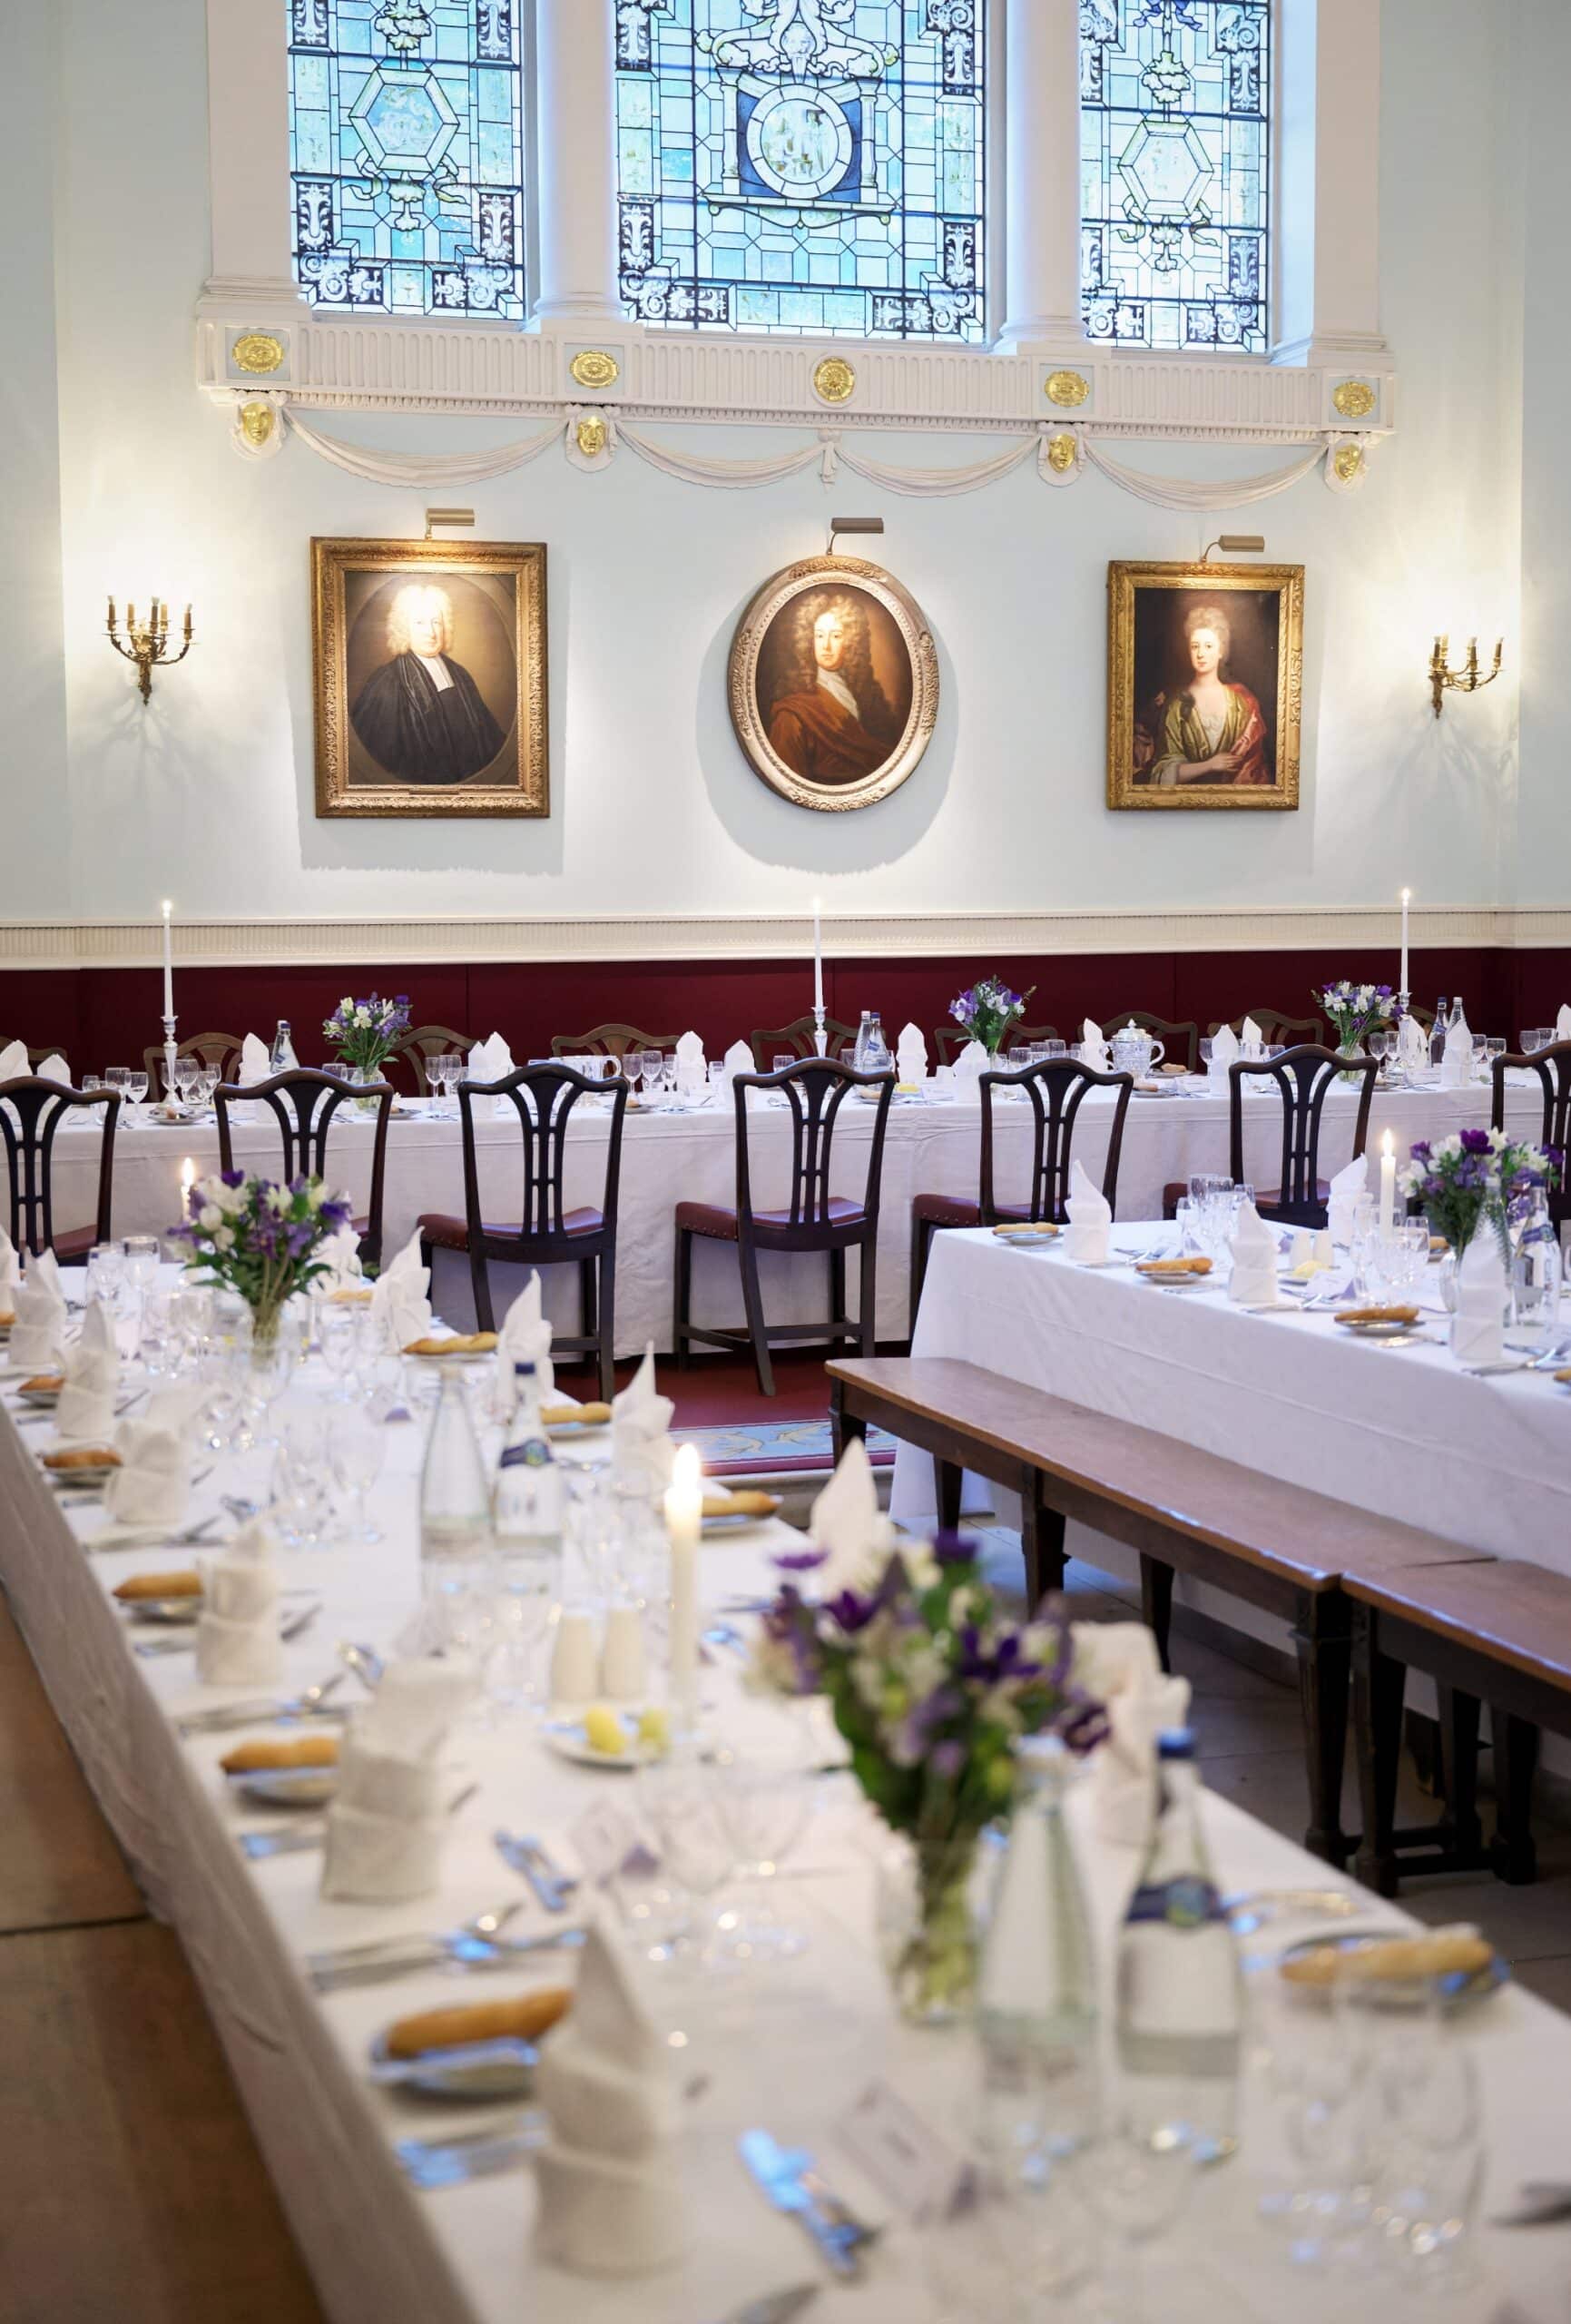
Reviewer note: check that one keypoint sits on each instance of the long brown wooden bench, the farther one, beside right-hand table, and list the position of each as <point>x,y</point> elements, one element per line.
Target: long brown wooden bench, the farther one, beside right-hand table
<point>1256,1537</point>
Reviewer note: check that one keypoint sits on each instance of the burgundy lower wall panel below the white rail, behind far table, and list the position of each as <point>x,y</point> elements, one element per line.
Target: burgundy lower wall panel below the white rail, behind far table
<point>110,1017</point>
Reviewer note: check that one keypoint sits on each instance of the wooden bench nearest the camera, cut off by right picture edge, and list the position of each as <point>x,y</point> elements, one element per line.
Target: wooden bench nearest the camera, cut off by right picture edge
<point>1498,1637</point>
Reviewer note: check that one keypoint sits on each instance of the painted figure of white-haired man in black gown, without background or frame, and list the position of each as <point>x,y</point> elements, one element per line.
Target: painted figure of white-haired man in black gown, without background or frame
<point>422,715</point>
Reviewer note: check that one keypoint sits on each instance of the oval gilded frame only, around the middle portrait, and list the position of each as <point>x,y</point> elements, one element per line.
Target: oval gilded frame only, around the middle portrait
<point>743,682</point>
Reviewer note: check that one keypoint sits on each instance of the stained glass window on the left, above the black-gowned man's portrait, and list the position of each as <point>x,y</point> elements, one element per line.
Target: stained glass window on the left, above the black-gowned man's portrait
<point>408,155</point>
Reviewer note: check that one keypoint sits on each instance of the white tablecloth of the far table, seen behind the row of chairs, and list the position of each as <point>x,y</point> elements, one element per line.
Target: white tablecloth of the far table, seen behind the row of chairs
<point>668,1159</point>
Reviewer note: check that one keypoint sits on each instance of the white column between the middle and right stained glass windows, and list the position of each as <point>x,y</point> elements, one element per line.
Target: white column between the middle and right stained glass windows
<point>1042,175</point>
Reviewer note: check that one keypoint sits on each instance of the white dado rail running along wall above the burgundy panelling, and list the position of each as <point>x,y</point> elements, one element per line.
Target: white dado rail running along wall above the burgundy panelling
<point>559,938</point>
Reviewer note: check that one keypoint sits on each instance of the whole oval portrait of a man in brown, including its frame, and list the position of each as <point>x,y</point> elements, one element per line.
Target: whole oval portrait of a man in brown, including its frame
<point>833,684</point>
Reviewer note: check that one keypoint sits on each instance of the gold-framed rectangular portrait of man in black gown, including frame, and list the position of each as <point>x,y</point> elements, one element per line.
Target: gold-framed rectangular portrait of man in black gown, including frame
<point>431,684</point>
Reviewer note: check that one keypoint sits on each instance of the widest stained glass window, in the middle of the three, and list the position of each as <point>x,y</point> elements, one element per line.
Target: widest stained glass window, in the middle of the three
<point>803,166</point>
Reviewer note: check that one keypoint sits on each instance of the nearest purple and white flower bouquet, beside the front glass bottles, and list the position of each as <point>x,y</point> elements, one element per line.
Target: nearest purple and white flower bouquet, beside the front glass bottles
<point>931,1684</point>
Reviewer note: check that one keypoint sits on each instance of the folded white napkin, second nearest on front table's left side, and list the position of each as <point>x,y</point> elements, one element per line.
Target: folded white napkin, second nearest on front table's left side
<point>387,1819</point>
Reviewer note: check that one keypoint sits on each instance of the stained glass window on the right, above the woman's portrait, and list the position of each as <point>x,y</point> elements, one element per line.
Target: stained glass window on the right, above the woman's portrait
<point>1175,173</point>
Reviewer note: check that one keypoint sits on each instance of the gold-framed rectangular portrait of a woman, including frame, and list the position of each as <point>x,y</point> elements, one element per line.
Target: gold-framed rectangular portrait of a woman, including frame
<point>1217,694</point>
